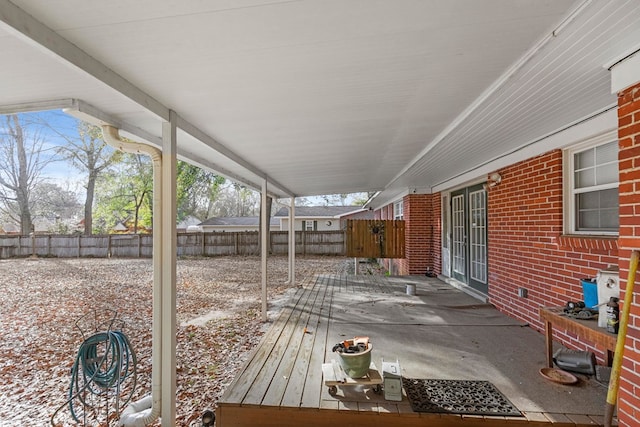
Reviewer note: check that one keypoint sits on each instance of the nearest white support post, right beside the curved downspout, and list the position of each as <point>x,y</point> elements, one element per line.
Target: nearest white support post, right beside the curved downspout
<point>168,412</point>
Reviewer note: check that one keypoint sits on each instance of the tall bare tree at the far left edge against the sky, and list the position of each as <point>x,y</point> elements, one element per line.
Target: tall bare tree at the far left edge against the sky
<point>22,159</point>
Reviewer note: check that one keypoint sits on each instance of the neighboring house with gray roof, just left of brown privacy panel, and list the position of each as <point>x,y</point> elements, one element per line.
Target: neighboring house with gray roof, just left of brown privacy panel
<point>321,218</point>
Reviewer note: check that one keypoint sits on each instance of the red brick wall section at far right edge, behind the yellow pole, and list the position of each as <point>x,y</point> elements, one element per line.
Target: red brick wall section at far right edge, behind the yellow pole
<point>629,161</point>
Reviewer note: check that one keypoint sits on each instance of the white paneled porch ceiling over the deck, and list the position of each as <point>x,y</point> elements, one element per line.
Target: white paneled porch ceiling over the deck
<point>324,96</point>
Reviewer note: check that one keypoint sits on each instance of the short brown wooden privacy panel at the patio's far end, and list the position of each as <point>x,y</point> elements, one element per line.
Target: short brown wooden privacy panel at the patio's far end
<point>375,238</point>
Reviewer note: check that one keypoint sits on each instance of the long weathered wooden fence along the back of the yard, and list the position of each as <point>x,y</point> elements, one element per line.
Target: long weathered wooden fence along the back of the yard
<point>188,244</point>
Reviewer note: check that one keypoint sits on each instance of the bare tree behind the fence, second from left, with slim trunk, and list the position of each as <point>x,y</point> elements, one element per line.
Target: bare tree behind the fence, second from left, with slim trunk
<point>89,153</point>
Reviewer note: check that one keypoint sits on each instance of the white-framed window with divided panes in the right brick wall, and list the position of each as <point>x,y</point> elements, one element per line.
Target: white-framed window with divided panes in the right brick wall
<point>592,194</point>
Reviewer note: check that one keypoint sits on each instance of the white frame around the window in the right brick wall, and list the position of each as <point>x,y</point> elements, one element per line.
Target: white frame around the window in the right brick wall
<point>568,169</point>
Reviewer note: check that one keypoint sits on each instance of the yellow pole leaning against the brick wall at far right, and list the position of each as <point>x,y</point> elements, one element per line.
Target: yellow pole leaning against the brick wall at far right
<point>614,381</point>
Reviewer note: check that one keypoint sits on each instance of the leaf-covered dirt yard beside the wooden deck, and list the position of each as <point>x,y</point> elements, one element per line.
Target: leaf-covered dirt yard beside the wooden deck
<point>218,317</point>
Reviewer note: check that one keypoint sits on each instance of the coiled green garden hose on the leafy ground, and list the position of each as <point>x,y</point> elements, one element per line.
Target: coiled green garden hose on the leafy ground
<point>104,362</point>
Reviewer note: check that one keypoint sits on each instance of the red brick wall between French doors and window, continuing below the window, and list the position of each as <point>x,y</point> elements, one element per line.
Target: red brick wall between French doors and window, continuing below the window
<point>528,250</point>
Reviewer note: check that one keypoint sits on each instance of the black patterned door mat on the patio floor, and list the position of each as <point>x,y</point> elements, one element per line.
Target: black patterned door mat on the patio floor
<point>457,397</point>
